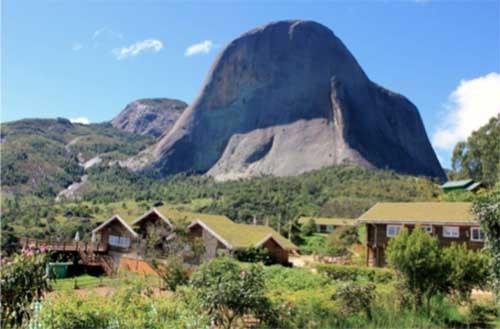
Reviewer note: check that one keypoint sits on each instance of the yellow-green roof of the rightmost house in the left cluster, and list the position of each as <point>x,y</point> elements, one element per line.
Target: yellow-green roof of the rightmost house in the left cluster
<point>244,235</point>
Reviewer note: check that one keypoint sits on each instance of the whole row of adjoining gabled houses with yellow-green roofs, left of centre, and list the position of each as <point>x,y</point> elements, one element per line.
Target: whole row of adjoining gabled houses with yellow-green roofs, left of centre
<point>135,237</point>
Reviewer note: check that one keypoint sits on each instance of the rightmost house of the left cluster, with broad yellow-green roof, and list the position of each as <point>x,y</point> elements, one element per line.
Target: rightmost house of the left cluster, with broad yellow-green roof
<point>221,236</point>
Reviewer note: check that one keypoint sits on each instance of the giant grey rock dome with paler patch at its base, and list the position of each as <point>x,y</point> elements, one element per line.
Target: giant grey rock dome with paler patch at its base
<point>287,98</point>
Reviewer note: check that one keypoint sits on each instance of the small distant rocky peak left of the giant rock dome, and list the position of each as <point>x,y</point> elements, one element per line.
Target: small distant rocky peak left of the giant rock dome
<point>152,117</point>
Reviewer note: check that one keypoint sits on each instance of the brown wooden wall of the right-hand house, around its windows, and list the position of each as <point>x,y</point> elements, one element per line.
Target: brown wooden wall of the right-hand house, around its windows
<point>377,240</point>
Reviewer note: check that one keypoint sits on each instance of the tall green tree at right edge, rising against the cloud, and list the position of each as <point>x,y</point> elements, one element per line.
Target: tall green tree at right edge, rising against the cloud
<point>479,157</point>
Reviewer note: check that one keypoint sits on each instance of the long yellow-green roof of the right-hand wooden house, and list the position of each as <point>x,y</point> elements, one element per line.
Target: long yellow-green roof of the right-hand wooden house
<point>419,212</point>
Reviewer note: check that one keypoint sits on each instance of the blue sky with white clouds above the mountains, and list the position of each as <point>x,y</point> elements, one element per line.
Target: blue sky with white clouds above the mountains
<point>85,60</point>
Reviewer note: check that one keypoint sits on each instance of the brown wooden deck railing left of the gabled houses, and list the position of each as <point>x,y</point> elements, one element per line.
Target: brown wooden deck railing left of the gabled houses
<point>69,245</point>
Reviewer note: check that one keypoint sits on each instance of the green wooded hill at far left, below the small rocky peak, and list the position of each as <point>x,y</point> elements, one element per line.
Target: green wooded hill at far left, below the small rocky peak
<point>40,157</point>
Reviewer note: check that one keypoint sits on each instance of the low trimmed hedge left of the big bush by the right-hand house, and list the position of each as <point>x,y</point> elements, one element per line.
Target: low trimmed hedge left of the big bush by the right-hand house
<point>354,273</point>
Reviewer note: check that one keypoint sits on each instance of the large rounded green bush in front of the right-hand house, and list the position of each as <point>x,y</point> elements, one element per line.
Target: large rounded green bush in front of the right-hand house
<point>455,269</point>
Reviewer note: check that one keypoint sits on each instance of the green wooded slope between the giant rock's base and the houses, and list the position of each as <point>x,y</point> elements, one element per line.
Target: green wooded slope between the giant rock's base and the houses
<point>335,191</point>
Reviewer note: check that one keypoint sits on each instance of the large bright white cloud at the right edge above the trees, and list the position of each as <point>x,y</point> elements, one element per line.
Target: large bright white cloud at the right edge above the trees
<point>469,107</point>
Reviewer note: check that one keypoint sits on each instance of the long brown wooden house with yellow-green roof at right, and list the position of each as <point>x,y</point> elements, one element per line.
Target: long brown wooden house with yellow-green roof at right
<point>448,221</point>
